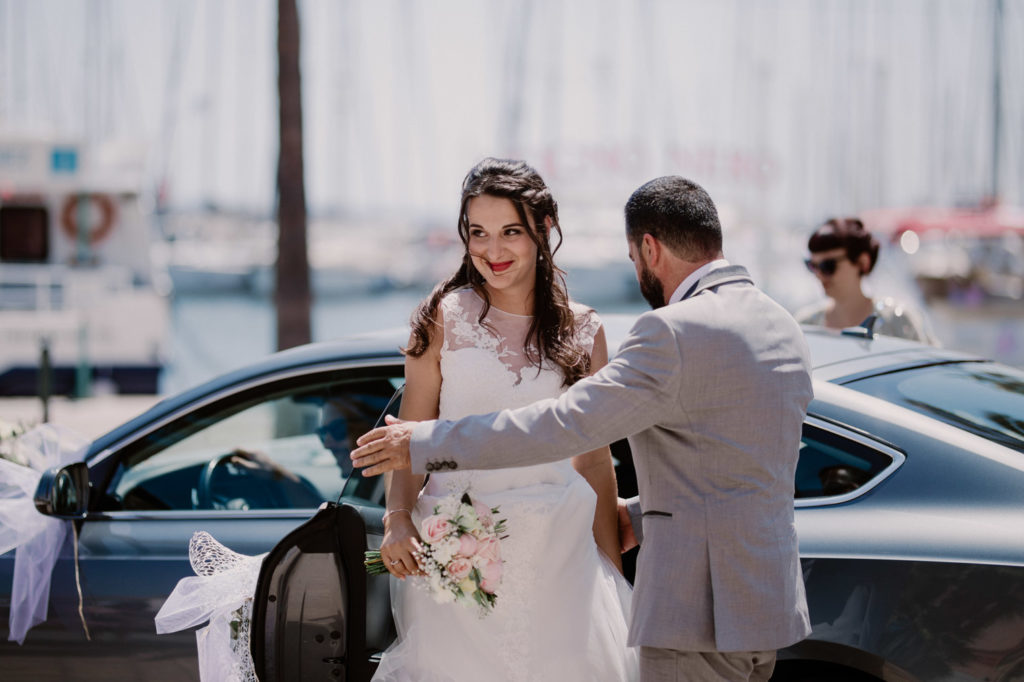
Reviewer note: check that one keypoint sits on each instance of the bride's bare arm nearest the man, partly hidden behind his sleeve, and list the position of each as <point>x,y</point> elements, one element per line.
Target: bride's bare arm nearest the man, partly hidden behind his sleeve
<point>596,467</point>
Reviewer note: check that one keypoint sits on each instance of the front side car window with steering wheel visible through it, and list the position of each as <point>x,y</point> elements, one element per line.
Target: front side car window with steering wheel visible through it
<point>278,446</point>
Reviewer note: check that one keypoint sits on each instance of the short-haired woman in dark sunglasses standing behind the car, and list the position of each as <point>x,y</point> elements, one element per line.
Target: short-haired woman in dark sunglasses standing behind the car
<point>843,251</point>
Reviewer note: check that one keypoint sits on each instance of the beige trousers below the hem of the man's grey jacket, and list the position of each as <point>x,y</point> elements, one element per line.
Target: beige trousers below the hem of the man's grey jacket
<point>671,666</point>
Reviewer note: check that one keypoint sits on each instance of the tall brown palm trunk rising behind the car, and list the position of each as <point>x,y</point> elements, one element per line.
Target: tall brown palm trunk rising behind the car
<point>292,295</point>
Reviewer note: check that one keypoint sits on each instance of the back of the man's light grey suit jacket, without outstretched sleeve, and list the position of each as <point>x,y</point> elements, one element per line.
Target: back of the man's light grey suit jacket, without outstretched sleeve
<point>722,466</point>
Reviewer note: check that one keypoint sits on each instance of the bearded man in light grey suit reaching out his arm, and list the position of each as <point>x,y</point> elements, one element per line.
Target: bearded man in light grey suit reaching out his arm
<point>712,389</point>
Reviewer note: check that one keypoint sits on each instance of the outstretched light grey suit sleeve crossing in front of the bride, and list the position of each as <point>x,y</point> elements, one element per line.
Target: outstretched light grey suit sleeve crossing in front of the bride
<point>632,393</point>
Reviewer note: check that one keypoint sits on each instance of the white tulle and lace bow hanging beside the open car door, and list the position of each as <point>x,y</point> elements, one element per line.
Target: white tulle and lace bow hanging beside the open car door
<point>222,592</point>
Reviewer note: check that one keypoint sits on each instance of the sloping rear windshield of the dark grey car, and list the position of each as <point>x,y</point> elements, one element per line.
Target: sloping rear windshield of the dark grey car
<point>985,399</point>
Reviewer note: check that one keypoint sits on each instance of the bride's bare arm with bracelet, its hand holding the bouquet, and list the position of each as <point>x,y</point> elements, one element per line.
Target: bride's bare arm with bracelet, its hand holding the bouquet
<point>419,402</point>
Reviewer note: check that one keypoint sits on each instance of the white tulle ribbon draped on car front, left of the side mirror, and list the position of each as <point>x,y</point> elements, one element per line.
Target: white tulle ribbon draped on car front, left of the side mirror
<point>37,537</point>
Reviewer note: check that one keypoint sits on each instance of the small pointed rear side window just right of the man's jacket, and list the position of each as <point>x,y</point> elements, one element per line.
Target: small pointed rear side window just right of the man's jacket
<point>838,463</point>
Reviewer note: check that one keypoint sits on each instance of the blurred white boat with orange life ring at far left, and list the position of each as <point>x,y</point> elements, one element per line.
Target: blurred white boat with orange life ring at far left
<point>77,285</point>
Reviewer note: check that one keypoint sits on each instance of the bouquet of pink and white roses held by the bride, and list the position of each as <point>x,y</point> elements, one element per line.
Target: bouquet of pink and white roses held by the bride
<point>460,556</point>
